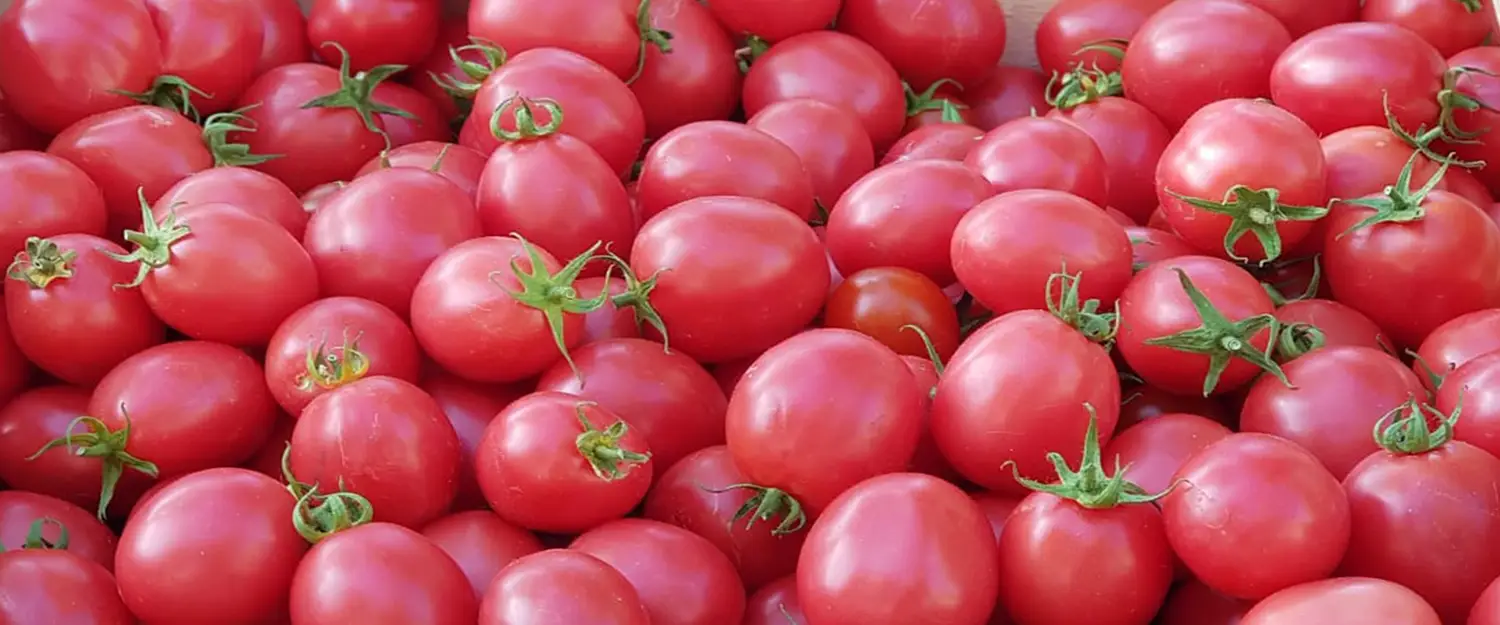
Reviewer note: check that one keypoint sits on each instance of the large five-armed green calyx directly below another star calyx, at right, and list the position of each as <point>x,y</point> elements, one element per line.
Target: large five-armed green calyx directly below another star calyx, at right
<point>1222,339</point>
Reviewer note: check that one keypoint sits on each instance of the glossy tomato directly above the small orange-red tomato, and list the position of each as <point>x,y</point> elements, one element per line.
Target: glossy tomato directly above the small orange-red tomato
<point>904,215</point>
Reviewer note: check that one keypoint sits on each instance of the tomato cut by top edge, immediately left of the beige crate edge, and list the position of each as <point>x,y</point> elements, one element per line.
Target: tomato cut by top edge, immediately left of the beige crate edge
<point>928,43</point>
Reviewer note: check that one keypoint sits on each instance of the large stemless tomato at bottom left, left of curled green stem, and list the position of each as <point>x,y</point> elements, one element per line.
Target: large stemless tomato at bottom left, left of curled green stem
<point>220,536</point>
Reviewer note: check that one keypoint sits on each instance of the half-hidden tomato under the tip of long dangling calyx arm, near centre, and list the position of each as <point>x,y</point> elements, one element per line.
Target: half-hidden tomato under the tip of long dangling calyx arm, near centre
<point>665,396</point>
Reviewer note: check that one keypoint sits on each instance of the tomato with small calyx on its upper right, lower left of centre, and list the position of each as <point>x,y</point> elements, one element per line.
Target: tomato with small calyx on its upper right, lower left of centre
<point>550,447</point>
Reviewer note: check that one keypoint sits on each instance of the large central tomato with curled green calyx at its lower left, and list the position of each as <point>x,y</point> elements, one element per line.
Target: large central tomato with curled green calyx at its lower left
<point>815,416</point>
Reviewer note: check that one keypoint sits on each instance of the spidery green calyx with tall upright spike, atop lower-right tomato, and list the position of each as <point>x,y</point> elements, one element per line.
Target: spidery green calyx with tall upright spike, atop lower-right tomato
<point>1090,486</point>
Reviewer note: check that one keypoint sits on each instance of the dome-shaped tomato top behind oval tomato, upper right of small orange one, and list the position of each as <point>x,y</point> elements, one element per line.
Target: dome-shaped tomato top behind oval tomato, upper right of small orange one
<point>1042,154</point>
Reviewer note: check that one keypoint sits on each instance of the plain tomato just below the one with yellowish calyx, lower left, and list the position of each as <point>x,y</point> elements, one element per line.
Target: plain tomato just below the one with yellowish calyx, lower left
<point>382,438</point>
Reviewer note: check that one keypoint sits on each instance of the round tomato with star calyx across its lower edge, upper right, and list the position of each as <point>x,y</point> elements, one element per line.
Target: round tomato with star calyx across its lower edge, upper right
<point>1220,181</point>
